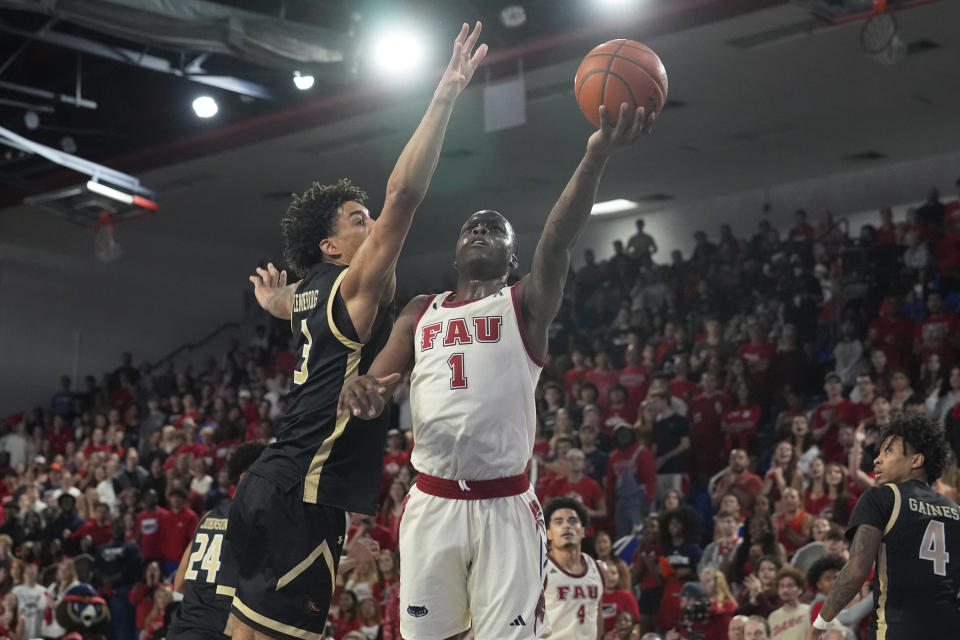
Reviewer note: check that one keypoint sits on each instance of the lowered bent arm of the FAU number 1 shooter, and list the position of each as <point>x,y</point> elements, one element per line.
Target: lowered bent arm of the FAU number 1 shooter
<point>366,396</point>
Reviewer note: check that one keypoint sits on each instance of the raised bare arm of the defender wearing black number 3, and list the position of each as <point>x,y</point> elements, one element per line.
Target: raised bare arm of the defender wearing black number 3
<point>371,269</point>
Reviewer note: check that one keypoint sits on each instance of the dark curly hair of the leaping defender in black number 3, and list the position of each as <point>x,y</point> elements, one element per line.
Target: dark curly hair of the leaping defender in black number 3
<point>312,217</point>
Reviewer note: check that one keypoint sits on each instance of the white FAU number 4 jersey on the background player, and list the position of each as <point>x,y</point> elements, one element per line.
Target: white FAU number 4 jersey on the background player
<point>572,601</point>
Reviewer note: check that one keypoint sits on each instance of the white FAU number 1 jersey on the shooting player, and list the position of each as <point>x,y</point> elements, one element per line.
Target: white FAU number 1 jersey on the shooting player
<point>471,389</point>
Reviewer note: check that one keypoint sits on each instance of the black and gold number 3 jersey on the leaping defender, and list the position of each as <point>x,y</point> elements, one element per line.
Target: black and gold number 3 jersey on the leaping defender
<point>337,461</point>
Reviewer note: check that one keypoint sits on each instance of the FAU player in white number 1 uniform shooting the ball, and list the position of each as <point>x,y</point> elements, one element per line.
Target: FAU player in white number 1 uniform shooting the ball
<point>472,537</point>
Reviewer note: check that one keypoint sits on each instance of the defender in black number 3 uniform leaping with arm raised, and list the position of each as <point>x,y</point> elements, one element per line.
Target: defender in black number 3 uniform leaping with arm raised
<point>288,519</point>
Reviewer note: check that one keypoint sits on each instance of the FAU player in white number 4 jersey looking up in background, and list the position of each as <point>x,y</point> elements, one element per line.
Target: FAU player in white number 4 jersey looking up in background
<point>574,592</point>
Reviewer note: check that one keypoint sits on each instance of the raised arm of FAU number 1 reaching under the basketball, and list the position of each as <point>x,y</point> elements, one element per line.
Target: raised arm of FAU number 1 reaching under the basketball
<point>542,289</point>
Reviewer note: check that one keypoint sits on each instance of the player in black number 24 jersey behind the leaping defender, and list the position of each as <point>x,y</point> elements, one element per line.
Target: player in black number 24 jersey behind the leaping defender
<point>207,576</point>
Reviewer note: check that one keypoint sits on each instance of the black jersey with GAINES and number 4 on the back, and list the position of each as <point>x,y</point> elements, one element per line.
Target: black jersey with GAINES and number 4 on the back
<point>916,581</point>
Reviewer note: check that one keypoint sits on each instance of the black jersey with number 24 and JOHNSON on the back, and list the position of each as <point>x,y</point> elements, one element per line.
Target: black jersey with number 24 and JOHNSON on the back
<point>210,579</point>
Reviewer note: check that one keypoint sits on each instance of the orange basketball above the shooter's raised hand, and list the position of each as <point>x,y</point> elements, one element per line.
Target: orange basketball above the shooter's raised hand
<point>620,71</point>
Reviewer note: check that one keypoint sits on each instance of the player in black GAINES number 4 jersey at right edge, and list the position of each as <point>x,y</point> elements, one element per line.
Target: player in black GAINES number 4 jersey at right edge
<point>913,534</point>
